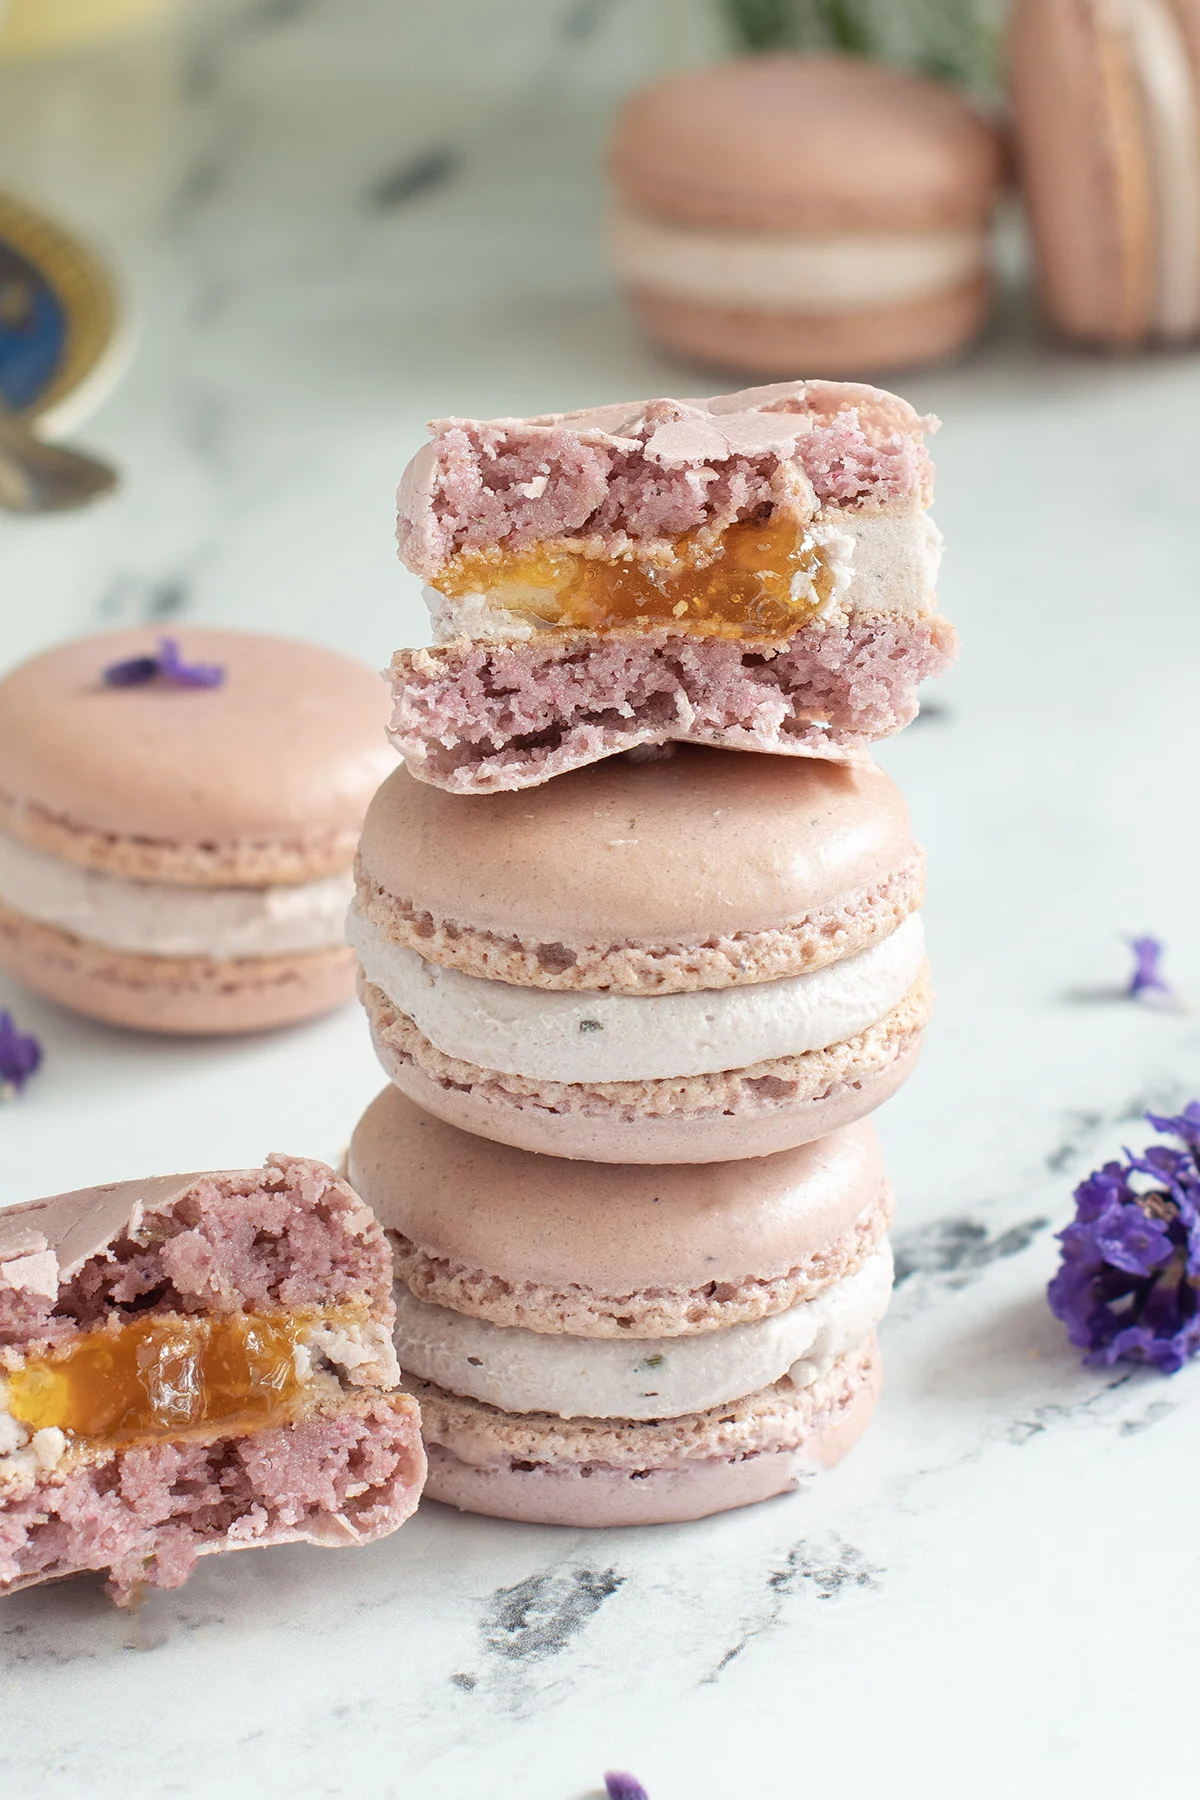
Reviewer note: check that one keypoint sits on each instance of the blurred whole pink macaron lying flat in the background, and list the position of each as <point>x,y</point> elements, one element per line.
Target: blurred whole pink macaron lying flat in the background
<point>791,213</point>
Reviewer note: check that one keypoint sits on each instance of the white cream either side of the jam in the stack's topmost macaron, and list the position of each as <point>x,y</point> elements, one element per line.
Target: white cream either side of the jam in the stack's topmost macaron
<point>882,564</point>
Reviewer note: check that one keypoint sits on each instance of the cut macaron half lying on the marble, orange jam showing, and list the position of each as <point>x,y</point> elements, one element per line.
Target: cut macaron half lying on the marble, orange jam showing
<point>197,1363</point>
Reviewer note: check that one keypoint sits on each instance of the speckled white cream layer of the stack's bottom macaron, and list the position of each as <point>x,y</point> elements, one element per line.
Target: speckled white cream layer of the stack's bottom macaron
<point>640,1378</point>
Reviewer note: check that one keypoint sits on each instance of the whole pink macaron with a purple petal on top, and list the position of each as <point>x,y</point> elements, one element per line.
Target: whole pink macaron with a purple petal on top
<point>179,825</point>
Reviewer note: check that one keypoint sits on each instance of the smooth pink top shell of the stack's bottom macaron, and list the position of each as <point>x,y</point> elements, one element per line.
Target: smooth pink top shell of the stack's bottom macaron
<point>614,1252</point>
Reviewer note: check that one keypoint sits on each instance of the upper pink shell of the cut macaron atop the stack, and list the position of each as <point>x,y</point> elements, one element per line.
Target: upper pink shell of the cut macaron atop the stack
<point>645,474</point>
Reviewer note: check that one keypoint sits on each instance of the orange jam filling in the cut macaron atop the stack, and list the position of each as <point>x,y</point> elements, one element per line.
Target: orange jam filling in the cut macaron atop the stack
<point>758,580</point>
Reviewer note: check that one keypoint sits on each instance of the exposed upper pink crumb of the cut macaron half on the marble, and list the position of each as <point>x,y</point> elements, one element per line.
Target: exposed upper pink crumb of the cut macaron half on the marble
<point>287,1236</point>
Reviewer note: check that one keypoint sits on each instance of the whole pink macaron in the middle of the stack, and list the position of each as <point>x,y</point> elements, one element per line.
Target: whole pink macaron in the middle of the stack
<point>697,958</point>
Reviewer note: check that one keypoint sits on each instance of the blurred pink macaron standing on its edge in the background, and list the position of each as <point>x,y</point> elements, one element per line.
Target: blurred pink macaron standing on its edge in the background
<point>1107,105</point>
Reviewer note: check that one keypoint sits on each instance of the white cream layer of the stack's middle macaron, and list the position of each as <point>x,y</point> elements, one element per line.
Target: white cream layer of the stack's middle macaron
<point>634,1038</point>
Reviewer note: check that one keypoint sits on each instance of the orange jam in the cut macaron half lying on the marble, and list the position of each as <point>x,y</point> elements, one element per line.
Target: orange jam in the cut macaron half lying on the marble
<point>163,1378</point>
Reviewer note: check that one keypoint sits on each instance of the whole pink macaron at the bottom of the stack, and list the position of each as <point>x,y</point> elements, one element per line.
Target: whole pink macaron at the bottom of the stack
<point>600,1345</point>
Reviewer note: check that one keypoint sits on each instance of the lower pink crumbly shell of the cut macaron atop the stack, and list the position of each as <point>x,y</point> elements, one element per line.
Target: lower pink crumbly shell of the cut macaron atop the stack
<point>479,719</point>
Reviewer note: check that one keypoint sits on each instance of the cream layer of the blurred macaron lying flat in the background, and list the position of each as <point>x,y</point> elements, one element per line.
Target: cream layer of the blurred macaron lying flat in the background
<point>794,273</point>
